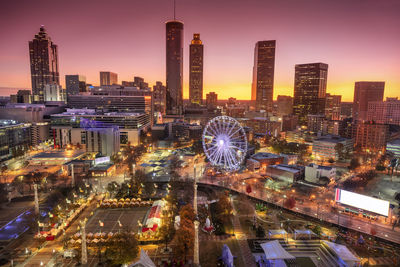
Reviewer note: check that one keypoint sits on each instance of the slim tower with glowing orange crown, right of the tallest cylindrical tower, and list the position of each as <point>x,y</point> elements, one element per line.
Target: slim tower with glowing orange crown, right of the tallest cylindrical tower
<point>196,70</point>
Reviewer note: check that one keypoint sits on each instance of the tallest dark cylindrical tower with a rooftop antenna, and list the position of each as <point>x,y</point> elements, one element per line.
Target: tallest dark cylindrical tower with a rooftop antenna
<point>174,67</point>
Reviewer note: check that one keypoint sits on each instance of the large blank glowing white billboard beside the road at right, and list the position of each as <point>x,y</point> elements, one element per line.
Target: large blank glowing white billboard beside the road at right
<point>363,202</point>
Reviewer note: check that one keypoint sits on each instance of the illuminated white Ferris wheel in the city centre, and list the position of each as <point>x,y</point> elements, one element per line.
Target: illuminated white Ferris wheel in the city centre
<point>225,143</point>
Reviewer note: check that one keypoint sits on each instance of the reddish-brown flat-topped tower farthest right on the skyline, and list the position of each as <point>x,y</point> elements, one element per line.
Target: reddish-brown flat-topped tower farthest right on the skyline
<point>365,92</point>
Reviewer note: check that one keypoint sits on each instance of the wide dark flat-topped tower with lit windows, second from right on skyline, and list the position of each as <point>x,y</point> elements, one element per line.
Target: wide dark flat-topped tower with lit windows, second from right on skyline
<point>309,90</point>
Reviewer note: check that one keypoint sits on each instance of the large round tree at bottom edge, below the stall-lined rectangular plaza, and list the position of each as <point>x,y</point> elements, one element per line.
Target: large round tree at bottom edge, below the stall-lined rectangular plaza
<point>122,248</point>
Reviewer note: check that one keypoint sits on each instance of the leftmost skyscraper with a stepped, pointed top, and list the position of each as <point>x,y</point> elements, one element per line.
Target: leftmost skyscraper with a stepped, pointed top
<point>44,63</point>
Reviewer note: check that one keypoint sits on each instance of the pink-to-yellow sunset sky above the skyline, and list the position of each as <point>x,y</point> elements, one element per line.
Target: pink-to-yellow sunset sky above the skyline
<point>359,39</point>
